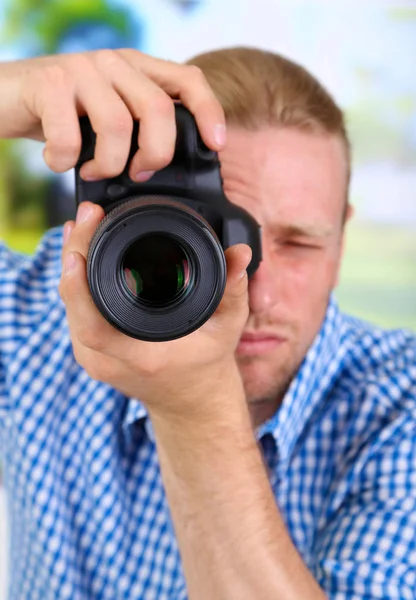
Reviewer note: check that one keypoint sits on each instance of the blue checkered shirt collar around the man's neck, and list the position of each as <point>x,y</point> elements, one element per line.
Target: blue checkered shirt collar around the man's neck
<point>313,380</point>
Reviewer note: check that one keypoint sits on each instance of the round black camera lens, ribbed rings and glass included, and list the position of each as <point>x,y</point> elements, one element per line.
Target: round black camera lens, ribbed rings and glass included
<point>156,268</point>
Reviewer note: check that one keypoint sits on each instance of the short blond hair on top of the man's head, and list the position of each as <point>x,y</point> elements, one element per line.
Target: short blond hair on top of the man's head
<point>256,88</point>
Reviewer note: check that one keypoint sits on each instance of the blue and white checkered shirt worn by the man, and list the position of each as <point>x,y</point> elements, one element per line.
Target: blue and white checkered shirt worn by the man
<point>88,514</point>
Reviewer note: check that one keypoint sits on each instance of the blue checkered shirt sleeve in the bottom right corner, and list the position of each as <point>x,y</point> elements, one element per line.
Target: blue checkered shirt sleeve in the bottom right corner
<point>367,550</point>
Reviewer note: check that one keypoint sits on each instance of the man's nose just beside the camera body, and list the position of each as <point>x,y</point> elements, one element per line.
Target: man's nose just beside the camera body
<point>263,287</point>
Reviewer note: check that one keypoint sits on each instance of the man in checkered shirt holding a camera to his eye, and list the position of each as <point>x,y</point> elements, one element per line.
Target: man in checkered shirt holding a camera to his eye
<point>269,454</point>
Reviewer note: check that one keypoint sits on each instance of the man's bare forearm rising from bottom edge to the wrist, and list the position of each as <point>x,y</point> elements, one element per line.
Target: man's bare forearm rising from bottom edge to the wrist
<point>232,539</point>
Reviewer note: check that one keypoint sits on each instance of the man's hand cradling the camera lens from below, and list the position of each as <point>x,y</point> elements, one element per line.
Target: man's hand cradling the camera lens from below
<point>166,376</point>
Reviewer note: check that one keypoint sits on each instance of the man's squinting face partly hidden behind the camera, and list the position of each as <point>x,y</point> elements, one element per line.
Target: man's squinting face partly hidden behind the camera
<point>293,183</point>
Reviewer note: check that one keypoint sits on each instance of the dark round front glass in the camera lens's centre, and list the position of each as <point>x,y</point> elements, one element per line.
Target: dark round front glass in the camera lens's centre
<point>156,269</point>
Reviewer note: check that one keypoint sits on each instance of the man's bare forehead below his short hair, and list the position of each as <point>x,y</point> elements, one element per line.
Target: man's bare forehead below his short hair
<point>284,175</point>
